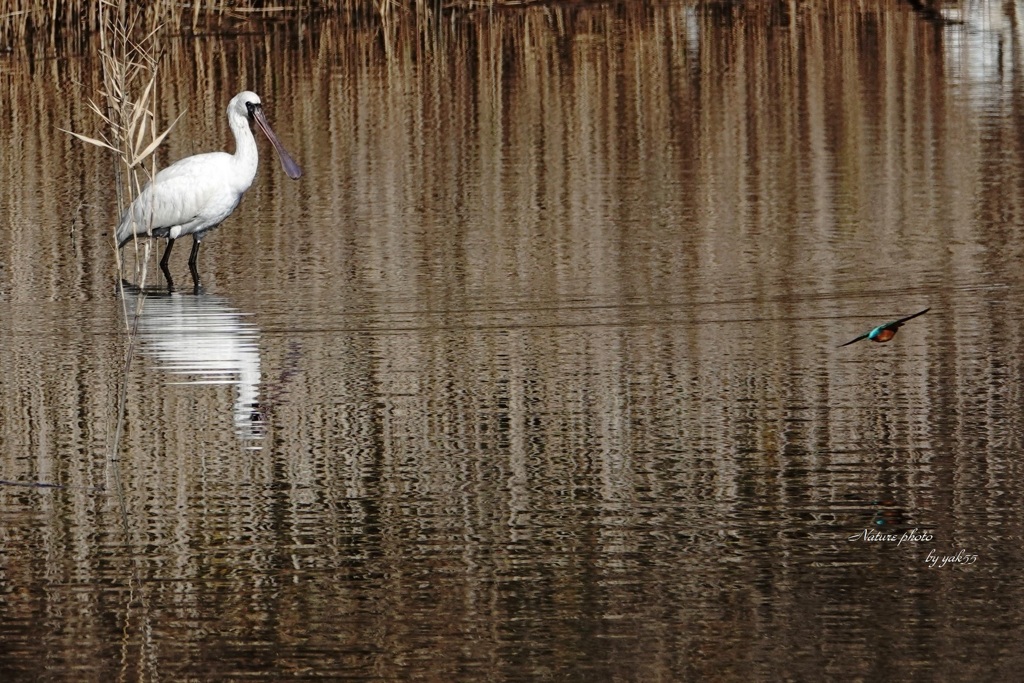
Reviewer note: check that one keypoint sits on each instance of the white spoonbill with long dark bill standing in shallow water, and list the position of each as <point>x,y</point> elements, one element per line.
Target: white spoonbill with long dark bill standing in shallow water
<point>197,194</point>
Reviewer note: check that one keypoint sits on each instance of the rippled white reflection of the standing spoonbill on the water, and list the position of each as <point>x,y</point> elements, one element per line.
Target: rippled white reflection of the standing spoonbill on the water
<point>208,341</point>
